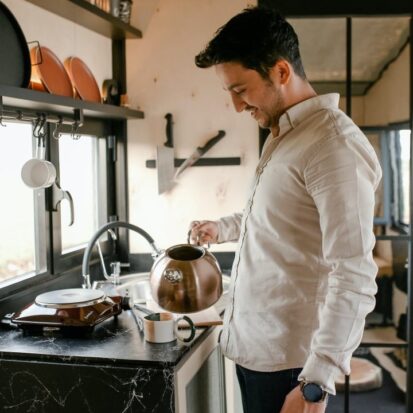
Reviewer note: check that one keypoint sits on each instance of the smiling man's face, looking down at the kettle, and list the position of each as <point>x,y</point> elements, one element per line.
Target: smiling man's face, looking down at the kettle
<point>252,93</point>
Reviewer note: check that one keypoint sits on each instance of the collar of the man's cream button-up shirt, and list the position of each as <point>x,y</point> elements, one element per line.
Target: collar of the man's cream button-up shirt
<point>292,117</point>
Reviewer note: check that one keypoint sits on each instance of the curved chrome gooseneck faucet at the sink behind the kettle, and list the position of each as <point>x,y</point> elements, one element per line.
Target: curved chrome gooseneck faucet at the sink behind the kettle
<point>108,227</point>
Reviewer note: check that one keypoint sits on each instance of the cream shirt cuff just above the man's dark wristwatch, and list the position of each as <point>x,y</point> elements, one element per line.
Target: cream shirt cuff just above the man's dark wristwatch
<point>318,370</point>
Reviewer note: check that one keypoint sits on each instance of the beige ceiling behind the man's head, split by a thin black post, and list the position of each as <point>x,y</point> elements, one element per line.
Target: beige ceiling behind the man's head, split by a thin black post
<point>376,42</point>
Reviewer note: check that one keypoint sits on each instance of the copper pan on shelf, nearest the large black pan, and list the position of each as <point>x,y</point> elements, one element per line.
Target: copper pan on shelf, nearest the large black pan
<point>50,75</point>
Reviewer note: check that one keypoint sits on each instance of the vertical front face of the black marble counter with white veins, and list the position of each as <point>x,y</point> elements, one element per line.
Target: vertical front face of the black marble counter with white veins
<point>32,387</point>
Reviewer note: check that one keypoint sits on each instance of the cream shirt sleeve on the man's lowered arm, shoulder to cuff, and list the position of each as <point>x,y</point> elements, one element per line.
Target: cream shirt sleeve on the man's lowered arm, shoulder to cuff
<point>342,177</point>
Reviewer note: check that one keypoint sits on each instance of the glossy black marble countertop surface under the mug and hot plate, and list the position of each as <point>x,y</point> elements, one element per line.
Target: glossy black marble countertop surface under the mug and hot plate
<point>116,341</point>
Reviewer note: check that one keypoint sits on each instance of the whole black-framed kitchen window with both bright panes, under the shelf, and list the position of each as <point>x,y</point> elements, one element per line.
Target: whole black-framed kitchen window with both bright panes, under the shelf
<point>36,239</point>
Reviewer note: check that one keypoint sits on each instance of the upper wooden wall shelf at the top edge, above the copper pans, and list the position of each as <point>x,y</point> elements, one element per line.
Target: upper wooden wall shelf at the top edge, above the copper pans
<point>88,15</point>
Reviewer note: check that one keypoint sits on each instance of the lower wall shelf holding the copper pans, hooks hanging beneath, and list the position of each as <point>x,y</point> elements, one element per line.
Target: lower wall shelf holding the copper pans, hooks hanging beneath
<point>15,97</point>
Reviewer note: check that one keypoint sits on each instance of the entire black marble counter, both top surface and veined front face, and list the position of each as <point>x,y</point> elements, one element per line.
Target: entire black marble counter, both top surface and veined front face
<point>111,369</point>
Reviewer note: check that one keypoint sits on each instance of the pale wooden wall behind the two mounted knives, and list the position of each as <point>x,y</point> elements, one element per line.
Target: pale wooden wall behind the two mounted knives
<point>162,78</point>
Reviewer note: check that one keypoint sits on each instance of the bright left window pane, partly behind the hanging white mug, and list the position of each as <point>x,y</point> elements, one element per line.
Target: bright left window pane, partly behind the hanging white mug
<point>22,240</point>
